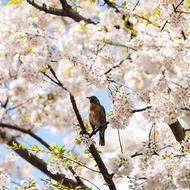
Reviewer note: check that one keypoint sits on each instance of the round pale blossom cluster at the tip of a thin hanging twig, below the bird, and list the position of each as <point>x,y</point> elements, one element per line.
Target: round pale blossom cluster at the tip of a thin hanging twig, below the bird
<point>121,166</point>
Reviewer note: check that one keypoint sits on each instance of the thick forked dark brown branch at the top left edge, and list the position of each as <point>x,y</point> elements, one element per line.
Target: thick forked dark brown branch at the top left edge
<point>67,11</point>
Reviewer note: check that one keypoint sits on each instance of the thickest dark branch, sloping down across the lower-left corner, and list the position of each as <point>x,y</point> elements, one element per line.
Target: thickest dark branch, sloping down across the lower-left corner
<point>42,166</point>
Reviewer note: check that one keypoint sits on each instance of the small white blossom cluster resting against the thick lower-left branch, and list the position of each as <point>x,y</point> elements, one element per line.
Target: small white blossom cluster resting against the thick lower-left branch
<point>56,166</point>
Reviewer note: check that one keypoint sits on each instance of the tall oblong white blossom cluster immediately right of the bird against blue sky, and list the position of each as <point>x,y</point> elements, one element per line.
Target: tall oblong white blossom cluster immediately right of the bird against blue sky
<point>122,109</point>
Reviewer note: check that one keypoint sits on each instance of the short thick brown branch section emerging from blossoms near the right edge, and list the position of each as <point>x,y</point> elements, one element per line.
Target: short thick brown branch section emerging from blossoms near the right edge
<point>178,131</point>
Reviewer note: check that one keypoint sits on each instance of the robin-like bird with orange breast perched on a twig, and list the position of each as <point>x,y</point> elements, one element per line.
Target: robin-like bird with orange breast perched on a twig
<point>97,118</point>
